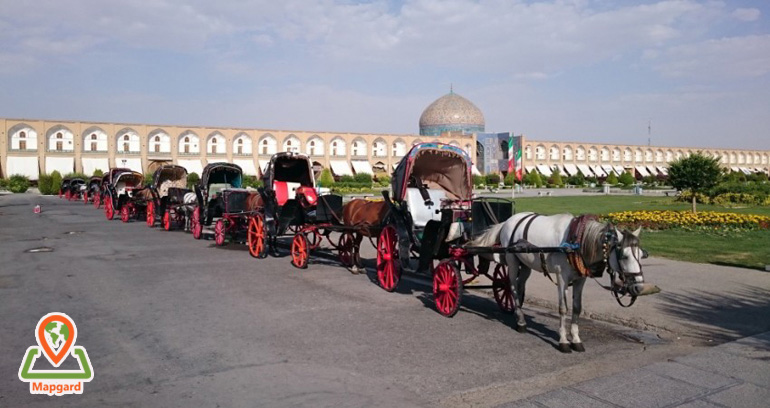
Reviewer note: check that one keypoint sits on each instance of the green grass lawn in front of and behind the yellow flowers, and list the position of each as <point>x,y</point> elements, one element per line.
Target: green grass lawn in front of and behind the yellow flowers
<point>750,249</point>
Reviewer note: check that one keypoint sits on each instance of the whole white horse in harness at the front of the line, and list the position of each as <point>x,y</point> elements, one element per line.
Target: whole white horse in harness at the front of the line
<point>599,246</point>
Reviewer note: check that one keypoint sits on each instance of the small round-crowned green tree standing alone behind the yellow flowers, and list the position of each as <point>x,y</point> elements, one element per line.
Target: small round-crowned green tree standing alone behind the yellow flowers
<point>696,173</point>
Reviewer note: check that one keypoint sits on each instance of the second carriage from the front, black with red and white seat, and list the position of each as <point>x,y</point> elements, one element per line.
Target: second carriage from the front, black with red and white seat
<point>288,195</point>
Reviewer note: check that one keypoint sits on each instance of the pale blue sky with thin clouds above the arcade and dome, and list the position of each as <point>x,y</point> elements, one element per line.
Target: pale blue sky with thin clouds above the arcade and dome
<point>579,70</point>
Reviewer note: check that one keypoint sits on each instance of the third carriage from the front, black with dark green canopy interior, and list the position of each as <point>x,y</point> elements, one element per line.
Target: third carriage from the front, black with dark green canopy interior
<point>217,193</point>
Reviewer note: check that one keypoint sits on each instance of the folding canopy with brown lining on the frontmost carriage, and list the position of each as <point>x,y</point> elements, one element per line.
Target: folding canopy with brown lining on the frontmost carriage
<point>439,166</point>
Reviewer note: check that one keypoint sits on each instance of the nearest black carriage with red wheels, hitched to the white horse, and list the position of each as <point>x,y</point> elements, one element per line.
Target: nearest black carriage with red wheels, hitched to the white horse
<point>432,217</point>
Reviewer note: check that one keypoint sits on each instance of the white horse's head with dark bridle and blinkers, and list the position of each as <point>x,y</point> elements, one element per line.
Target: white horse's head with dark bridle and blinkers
<point>624,255</point>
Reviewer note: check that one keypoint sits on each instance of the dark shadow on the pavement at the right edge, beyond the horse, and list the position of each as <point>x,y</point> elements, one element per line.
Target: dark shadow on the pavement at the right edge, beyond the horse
<point>721,316</point>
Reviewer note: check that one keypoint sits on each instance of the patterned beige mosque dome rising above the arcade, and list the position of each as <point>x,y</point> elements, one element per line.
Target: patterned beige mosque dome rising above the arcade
<point>451,113</point>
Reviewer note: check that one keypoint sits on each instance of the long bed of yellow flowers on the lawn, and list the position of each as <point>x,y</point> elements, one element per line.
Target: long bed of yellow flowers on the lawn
<point>684,219</point>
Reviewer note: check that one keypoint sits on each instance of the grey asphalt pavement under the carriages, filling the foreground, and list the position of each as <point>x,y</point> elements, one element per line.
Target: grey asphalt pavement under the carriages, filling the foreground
<point>170,321</point>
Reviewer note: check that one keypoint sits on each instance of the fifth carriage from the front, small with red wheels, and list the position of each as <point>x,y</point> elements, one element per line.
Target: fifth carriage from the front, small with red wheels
<point>121,195</point>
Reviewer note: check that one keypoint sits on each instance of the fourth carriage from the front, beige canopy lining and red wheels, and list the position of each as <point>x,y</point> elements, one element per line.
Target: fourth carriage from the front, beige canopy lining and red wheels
<point>168,190</point>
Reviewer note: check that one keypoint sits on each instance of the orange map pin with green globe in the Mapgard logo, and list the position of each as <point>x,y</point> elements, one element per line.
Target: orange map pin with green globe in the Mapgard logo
<point>56,334</point>
